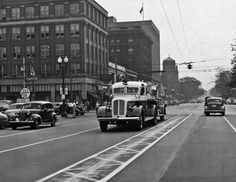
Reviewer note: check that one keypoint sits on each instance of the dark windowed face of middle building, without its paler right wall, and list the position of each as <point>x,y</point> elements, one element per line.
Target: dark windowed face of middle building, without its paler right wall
<point>130,46</point>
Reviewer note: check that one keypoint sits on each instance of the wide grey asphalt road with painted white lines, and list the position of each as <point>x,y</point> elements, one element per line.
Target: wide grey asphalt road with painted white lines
<point>187,146</point>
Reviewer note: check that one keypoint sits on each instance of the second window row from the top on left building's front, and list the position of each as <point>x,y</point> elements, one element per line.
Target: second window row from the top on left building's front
<point>44,32</point>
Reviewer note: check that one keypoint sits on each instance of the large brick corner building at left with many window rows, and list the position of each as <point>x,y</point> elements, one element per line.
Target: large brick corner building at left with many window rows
<point>35,33</point>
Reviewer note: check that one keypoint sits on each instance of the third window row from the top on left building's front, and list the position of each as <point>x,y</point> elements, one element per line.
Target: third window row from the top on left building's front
<point>44,51</point>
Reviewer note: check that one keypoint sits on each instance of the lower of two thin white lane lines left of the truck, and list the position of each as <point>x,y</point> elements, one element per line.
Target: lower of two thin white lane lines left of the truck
<point>46,141</point>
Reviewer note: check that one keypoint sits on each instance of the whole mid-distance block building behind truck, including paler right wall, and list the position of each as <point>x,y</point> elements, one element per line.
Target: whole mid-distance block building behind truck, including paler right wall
<point>136,46</point>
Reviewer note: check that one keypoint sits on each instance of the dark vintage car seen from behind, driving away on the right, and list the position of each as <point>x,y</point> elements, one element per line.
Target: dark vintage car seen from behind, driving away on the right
<point>214,105</point>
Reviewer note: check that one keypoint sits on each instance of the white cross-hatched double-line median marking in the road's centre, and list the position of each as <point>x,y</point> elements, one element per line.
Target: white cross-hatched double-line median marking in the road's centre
<point>117,170</point>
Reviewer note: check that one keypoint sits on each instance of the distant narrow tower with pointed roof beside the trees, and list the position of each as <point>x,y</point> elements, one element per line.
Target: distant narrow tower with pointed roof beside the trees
<point>170,76</point>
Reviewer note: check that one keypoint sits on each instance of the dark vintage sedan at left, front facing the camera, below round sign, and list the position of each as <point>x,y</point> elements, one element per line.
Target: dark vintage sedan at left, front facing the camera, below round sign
<point>33,114</point>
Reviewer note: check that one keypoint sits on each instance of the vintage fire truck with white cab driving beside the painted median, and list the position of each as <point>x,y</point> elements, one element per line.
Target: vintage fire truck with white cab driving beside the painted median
<point>133,103</point>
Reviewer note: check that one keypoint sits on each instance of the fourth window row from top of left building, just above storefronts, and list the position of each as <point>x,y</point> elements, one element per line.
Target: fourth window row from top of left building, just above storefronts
<point>47,70</point>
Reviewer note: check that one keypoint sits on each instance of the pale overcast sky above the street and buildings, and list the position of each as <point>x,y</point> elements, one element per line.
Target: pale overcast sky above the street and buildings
<point>210,28</point>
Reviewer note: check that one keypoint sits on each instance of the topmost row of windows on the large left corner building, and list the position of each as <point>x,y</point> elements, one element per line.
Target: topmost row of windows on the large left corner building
<point>29,12</point>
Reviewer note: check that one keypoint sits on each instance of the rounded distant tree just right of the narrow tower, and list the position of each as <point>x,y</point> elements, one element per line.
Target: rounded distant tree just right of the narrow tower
<point>190,88</point>
